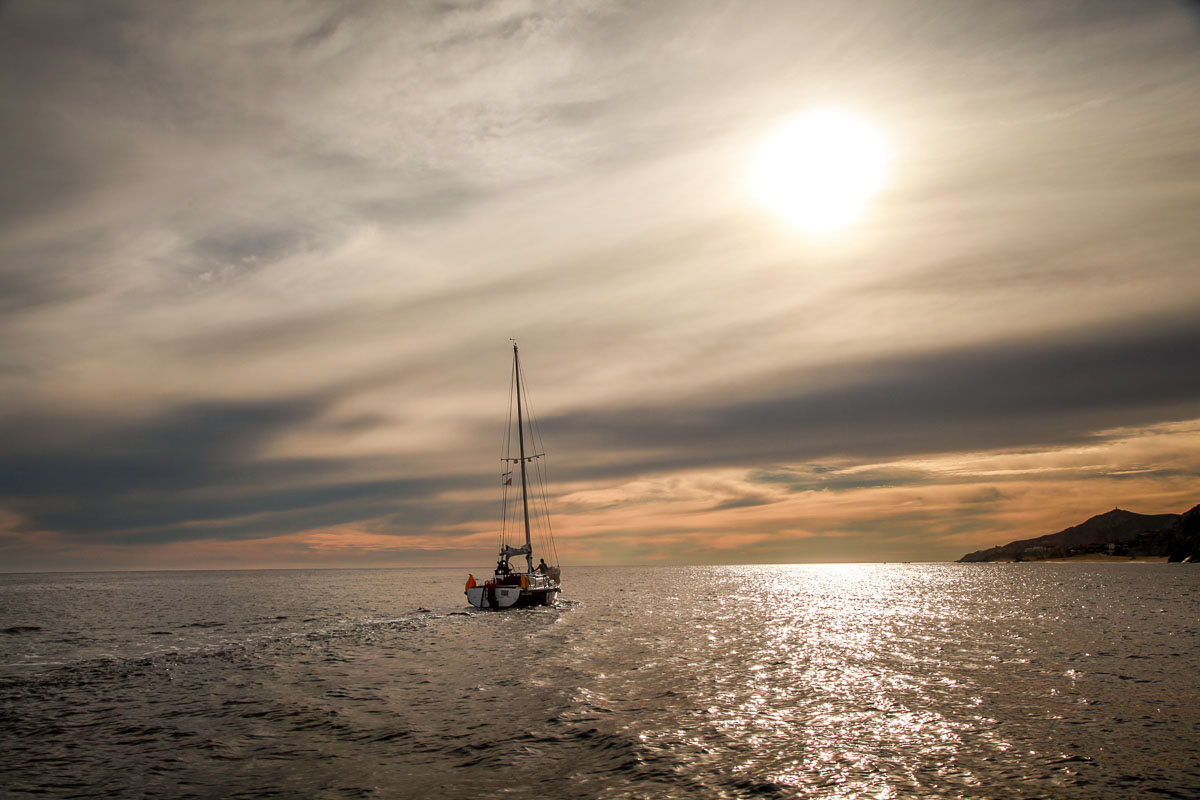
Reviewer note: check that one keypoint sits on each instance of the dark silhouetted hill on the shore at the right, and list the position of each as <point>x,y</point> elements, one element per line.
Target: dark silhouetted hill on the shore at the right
<point>1115,533</point>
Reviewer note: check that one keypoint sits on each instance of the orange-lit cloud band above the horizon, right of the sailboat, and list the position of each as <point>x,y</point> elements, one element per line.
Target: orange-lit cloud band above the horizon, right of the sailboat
<point>932,508</point>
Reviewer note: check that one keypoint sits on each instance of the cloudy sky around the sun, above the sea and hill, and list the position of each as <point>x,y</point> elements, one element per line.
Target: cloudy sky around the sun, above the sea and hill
<point>261,263</point>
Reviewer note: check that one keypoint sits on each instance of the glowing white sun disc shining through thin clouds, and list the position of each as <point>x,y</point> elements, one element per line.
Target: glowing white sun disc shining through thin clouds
<point>820,170</point>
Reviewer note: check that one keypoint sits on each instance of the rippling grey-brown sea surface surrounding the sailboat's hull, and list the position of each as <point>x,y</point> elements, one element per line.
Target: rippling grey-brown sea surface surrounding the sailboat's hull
<point>938,681</point>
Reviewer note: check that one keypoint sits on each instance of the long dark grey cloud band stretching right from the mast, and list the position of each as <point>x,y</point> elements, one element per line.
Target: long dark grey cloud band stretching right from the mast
<point>993,396</point>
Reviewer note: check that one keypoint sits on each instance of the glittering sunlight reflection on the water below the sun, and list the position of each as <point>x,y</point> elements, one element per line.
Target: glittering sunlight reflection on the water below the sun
<point>860,681</point>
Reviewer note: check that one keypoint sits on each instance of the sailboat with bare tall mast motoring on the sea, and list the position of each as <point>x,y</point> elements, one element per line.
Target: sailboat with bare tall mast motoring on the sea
<point>509,586</point>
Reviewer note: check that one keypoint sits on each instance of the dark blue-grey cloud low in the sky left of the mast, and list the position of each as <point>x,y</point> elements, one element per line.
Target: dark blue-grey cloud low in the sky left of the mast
<point>194,472</point>
